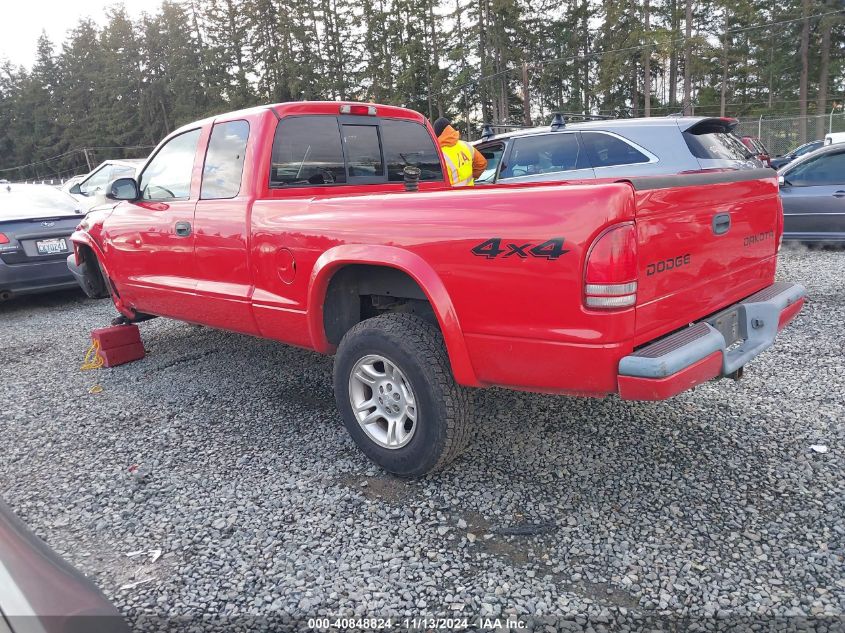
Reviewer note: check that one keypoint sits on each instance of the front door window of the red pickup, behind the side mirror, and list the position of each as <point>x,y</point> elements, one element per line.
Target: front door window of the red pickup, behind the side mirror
<point>168,175</point>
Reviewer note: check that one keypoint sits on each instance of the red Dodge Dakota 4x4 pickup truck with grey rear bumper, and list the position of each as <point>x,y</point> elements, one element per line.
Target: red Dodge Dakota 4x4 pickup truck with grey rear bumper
<point>301,222</point>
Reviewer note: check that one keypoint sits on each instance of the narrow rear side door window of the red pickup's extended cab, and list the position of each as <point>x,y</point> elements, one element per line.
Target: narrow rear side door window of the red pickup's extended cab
<point>224,160</point>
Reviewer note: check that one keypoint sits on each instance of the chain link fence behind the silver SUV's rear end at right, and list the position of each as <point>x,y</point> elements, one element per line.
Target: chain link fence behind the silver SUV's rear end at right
<point>781,135</point>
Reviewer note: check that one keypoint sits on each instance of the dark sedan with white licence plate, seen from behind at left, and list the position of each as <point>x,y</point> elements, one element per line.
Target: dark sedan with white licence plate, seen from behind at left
<point>35,226</point>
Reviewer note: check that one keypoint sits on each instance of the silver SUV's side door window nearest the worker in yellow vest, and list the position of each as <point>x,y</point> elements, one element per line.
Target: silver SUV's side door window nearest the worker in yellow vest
<point>544,154</point>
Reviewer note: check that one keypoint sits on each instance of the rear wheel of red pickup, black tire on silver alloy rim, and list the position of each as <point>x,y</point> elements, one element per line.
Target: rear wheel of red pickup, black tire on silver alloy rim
<point>395,391</point>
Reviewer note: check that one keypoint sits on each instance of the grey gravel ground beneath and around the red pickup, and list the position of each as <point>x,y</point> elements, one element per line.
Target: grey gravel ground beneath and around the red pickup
<point>710,510</point>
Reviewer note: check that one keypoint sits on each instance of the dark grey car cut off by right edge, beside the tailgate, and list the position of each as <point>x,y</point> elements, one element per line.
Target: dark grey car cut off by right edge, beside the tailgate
<point>813,193</point>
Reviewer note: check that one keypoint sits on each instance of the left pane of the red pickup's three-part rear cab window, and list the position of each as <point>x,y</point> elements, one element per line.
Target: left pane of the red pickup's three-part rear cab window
<point>307,151</point>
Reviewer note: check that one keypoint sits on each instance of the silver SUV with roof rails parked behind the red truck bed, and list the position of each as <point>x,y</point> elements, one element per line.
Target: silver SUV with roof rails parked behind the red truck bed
<point>613,148</point>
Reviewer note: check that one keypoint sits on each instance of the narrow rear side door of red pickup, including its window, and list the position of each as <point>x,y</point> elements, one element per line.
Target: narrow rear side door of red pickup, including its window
<point>221,231</point>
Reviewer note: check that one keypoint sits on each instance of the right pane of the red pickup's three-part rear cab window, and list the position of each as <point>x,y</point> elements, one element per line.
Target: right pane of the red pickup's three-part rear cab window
<point>408,143</point>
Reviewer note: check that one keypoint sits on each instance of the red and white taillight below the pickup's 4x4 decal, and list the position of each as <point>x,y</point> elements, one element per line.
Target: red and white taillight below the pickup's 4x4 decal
<point>610,280</point>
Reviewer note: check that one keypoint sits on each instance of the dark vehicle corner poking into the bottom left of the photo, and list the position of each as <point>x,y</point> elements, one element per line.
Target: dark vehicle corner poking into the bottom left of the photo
<point>41,592</point>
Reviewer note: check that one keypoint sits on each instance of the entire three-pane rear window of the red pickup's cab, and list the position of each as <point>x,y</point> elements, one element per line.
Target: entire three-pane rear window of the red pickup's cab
<point>323,150</point>
